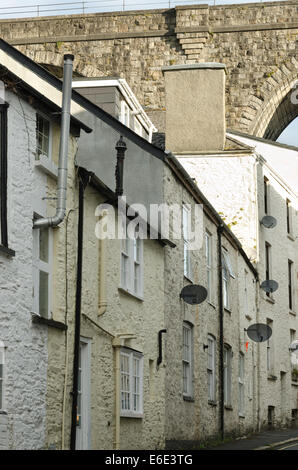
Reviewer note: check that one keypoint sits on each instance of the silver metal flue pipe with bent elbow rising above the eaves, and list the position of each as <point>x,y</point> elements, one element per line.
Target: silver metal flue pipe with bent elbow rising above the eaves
<point>63,149</point>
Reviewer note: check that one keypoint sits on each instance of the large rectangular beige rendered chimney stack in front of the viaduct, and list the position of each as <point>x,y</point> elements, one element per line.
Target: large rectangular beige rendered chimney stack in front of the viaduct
<point>195,107</point>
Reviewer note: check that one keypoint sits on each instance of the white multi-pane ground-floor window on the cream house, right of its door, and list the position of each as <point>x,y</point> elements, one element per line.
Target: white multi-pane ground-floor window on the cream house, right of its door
<point>131,355</point>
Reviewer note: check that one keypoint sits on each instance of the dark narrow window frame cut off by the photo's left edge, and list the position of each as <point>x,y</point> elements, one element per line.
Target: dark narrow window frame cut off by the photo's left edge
<point>3,174</point>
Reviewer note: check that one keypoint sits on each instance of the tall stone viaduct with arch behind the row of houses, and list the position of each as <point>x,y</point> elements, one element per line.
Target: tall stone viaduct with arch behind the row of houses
<point>258,42</point>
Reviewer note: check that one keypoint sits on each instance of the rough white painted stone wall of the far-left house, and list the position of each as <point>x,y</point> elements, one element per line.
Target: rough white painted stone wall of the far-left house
<point>23,427</point>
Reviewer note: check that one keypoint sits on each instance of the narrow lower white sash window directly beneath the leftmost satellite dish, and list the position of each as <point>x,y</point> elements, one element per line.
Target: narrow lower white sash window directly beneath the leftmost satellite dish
<point>187,360</point>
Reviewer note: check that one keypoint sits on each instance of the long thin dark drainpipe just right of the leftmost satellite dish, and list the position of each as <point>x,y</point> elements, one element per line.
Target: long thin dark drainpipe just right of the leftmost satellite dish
<point>221,331</point>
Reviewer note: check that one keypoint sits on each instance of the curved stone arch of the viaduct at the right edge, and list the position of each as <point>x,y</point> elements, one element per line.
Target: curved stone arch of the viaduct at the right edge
<point>270,110</point>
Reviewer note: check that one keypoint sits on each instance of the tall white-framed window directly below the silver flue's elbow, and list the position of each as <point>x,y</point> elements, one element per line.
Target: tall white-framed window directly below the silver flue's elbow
<point>46,267</point>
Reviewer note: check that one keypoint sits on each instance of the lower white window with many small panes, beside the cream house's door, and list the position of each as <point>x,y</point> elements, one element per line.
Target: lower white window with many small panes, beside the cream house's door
<point>132,354</point>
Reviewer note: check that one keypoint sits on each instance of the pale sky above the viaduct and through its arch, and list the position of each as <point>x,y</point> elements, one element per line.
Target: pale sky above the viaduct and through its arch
<point>27,8</point>
